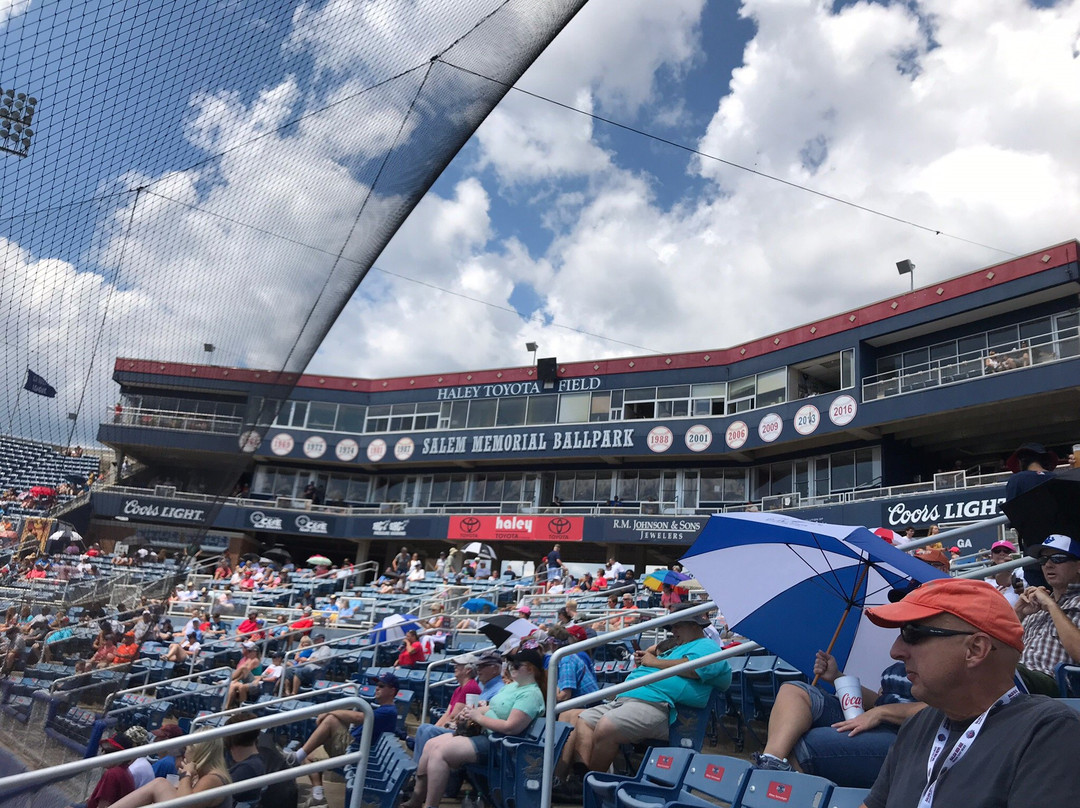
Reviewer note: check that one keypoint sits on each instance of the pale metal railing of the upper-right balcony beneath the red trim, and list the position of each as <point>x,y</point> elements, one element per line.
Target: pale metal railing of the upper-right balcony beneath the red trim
<point>1039,351</point>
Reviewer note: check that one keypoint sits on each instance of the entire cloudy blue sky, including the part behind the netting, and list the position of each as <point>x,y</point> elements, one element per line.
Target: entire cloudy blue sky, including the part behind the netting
<point>199,190</point>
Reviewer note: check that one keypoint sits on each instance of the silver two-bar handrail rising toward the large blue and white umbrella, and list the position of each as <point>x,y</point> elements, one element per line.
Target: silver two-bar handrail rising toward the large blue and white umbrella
<point>551,697</point>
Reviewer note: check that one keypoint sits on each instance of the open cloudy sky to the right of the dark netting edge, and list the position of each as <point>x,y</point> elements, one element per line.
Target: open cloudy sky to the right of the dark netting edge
<point>958,116</point>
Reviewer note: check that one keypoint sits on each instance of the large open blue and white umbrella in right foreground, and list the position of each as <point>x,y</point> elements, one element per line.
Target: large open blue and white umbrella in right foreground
<point>798,587</point>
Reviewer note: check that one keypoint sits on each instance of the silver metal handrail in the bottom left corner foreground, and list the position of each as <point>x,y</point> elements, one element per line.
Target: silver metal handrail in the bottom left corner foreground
<point>65,772</point>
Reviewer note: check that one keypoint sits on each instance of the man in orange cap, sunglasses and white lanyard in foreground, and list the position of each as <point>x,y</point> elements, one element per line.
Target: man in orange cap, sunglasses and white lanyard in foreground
<point>982,743</point>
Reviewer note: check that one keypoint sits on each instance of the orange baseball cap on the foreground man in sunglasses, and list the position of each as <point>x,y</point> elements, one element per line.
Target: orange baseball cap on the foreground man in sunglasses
<point>971,601</point>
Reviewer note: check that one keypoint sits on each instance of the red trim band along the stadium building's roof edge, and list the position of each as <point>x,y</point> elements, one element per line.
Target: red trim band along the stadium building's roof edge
<point>982,279</point>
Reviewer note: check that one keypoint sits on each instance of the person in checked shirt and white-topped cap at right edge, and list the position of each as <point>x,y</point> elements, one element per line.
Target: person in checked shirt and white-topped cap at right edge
<point>1051,620</point>
